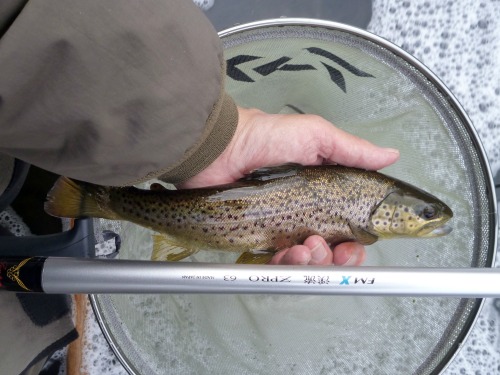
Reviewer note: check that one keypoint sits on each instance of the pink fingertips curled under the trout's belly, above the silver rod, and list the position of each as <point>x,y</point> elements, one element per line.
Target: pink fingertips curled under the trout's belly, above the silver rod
<point>315,251</point>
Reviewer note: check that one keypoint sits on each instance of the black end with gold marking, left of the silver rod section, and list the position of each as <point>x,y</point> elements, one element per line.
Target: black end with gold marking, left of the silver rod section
<point>21,274</point>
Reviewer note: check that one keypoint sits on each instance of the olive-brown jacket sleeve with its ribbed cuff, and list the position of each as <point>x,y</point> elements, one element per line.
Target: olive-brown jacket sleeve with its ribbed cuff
<point>112,92</point>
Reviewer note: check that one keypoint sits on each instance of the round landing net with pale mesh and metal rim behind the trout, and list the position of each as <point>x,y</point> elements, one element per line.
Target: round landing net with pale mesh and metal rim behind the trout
<point>368,88</point>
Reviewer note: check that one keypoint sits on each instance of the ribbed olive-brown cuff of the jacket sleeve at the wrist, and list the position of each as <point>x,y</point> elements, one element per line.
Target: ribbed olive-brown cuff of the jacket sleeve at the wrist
<point>220,128</point>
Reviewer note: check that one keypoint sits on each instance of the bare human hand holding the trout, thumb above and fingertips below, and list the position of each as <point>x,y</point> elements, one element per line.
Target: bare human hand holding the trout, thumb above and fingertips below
<point>263,139</point>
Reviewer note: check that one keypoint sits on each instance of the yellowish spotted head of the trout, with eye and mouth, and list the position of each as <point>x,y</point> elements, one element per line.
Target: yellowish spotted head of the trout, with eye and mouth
<point>410,212</point>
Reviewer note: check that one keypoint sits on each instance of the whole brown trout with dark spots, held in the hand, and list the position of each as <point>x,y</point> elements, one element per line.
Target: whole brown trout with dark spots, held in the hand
<point>269,209</point>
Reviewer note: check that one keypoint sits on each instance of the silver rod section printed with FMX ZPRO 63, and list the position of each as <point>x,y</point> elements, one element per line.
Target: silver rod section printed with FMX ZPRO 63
<point>97,276</point>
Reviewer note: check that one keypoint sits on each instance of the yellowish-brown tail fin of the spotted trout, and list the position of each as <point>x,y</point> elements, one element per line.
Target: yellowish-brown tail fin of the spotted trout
<point>74,199</point>
